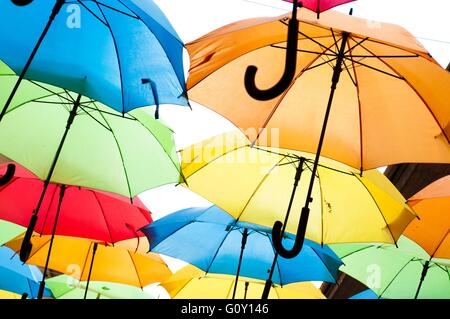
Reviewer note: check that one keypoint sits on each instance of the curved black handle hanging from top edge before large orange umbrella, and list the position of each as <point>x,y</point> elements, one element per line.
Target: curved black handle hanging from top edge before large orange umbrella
<point>289,68</point>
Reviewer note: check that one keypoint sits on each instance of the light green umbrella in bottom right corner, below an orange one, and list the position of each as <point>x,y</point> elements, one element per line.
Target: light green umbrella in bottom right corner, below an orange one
<point>405,272</point>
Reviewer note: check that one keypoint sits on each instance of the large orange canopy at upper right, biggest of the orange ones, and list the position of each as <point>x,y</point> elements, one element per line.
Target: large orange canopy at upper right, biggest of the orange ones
<point>391,104</point>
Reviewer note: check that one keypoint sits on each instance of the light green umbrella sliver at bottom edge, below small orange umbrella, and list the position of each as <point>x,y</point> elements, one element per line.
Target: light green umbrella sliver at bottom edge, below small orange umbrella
<point>66,287</point>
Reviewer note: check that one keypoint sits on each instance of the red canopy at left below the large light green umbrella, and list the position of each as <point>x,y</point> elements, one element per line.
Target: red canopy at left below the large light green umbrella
<point>83,212</point>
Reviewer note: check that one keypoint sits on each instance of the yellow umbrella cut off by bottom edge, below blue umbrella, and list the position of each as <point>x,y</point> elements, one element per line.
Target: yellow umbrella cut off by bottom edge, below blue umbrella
<point>192,283</point>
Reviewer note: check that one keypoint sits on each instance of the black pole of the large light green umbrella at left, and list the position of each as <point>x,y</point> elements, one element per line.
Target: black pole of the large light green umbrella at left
<point>26,247</point>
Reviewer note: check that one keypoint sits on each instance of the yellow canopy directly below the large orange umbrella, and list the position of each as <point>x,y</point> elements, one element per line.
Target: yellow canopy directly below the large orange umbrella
<point>254,184</point>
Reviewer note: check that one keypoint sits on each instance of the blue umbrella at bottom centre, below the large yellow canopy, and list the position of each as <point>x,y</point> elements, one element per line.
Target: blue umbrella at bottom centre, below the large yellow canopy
<point>212,240</point>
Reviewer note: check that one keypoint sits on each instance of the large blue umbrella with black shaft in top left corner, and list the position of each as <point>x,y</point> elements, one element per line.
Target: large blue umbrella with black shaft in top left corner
<point>124,53</point>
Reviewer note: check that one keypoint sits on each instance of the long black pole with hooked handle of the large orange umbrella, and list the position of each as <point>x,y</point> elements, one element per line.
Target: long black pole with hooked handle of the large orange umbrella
<point>303,222</point>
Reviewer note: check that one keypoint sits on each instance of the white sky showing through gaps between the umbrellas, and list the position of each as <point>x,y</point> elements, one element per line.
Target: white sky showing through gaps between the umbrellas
<point>193,18</point>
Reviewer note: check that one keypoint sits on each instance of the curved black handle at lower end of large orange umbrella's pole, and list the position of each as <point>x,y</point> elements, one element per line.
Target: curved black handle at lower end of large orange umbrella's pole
<point>277,236</point>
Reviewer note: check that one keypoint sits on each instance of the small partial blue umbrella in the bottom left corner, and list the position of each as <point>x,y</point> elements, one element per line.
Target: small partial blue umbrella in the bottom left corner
<point>18,277</point>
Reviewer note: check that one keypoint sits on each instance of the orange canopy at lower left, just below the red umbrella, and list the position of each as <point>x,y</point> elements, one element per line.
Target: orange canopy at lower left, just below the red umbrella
<point>73,256</point>
